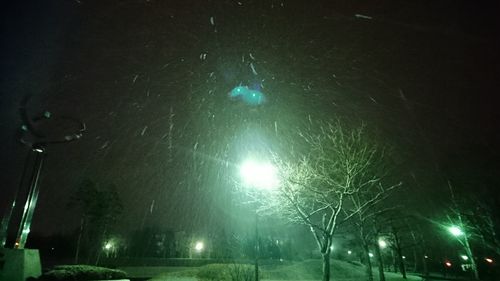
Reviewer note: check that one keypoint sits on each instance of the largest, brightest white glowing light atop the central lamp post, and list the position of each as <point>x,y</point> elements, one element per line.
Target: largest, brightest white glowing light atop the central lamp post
<point>259,175</point>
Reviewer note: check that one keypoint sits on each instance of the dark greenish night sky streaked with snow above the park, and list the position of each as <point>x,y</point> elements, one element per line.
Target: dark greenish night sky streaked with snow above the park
<point>424,73</point>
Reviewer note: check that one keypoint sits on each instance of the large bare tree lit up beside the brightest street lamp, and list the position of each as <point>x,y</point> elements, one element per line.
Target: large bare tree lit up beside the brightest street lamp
<point>316,184</point>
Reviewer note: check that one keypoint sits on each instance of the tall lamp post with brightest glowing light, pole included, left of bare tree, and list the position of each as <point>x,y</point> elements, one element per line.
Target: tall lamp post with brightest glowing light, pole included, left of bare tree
<point>260,176</point>
